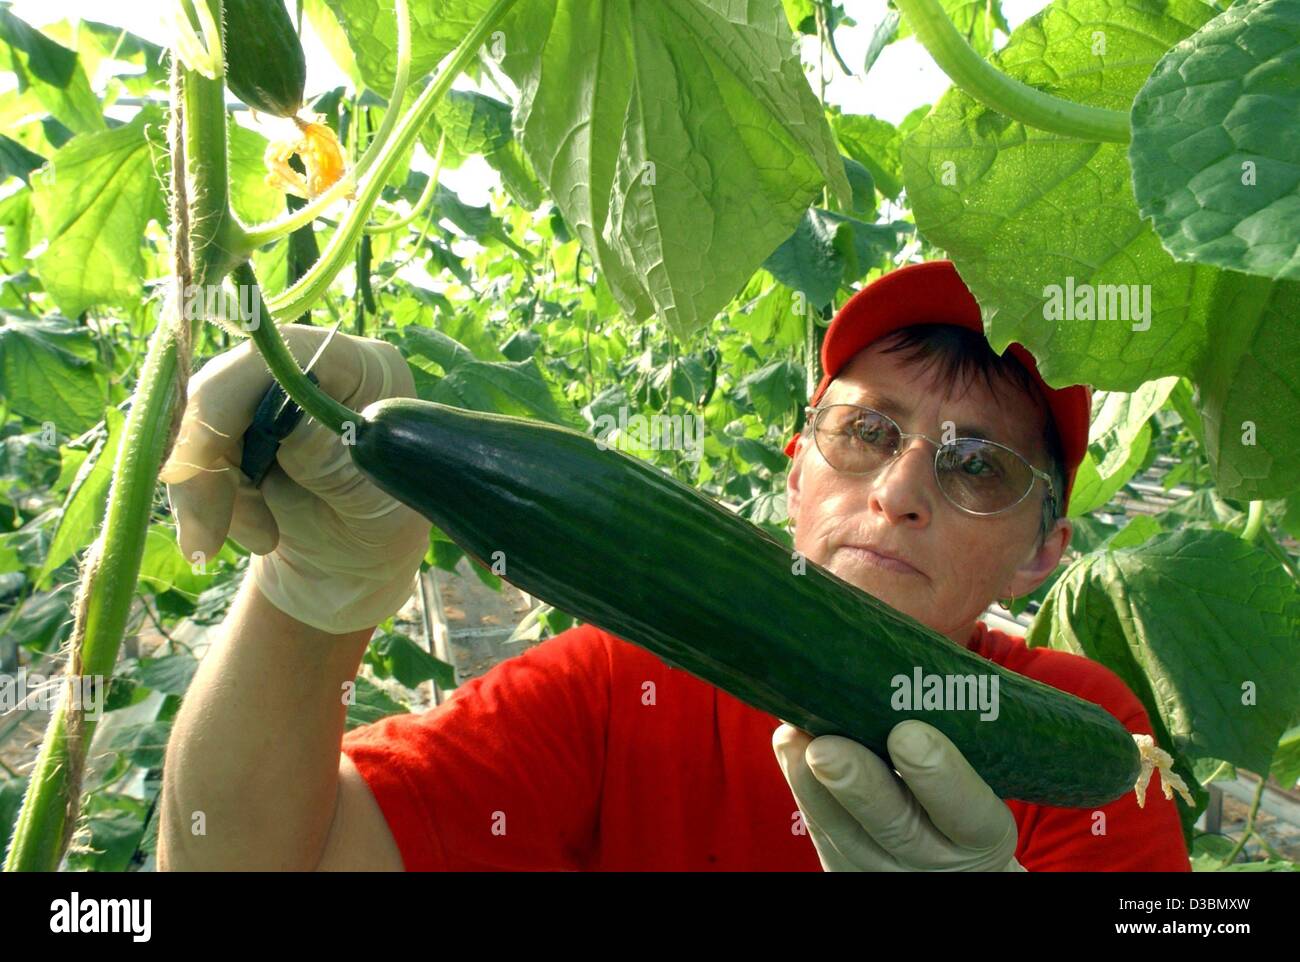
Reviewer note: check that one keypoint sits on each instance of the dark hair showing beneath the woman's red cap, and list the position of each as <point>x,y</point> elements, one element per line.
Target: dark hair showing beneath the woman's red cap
<point>959,356</point>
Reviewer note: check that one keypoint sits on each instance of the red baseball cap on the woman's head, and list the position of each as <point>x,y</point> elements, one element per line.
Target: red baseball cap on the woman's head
<point>934,293</point>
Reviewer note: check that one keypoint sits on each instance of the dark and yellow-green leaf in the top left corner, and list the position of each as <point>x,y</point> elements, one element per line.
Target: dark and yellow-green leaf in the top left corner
<point>50,73</point>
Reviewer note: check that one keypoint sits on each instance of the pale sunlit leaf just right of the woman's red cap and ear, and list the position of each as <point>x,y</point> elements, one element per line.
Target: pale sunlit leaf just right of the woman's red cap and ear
<point>1117,443</point>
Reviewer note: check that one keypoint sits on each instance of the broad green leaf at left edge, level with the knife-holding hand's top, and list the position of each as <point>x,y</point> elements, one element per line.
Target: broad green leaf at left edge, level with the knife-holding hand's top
<point>50,372</point>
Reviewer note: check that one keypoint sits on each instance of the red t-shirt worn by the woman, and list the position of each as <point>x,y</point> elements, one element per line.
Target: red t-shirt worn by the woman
<point>590,753</point>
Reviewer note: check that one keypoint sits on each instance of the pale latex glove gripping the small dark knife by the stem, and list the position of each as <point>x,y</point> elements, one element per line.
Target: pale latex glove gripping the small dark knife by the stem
<point>330,548</point>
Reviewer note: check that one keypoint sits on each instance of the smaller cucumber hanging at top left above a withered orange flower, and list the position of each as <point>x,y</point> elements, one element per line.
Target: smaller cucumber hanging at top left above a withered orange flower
<point>266,67</point>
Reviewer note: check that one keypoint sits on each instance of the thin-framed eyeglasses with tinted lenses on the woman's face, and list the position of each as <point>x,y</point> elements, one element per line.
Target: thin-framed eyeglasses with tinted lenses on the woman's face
<point>981,478</point>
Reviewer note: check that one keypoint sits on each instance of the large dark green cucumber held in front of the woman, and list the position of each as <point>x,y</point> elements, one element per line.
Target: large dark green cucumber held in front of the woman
<point>619,544</point>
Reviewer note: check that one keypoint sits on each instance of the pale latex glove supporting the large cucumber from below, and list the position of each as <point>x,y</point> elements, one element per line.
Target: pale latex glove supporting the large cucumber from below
<point>861,817</point>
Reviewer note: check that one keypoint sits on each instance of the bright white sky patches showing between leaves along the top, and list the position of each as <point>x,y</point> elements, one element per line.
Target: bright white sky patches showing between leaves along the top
<point>902,80</point>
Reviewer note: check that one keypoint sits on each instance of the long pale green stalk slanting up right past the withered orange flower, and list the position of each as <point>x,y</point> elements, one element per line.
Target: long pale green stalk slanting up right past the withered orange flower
<point>309,289</point>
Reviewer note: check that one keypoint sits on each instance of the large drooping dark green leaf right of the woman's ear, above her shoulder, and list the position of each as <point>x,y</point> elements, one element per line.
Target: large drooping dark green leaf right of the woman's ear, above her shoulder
<point>1203,627</point>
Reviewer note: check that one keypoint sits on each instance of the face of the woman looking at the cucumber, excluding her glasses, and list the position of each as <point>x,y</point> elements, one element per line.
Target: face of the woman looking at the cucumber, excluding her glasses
<point>954,565</point>
